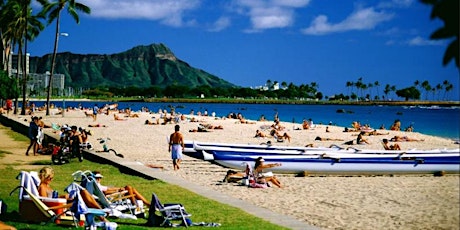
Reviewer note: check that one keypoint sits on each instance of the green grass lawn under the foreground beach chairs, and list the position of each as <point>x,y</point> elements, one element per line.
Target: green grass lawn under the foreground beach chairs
<point>201,208</point>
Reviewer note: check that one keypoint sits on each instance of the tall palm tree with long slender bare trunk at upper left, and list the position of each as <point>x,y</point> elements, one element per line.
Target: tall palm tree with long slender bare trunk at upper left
<point>53,12</point>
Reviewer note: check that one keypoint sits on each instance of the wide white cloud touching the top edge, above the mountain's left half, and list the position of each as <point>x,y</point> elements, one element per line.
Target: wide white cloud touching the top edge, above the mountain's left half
<point>168,12</point>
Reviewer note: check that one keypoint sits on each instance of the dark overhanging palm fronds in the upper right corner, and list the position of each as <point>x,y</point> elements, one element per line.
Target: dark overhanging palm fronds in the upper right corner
<point>447,11</point>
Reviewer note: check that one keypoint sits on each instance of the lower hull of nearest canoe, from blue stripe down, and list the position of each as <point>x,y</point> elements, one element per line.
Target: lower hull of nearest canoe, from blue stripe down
<point>336,165</point>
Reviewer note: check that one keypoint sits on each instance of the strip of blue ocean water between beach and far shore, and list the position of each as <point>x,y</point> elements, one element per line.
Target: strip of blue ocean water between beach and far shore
<point>437,121</point>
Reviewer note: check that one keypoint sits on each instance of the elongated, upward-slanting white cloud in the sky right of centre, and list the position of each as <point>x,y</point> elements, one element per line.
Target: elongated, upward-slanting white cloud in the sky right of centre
<point>361,19</point>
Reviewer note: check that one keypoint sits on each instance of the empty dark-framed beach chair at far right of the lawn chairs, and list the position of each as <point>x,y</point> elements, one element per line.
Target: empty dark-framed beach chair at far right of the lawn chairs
<point>168,213</point>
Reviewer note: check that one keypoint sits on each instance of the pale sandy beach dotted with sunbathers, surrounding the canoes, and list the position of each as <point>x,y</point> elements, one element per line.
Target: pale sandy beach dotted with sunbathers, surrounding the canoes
<point>328,202</point>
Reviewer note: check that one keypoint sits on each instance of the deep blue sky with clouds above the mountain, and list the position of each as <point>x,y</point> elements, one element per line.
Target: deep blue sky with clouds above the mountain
<point>248,42</point>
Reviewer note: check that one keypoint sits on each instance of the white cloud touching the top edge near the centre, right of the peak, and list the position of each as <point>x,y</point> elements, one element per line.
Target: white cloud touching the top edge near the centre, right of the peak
<point>269,14</point>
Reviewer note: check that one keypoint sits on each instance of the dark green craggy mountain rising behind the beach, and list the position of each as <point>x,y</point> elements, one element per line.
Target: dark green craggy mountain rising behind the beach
<point>141,66</point>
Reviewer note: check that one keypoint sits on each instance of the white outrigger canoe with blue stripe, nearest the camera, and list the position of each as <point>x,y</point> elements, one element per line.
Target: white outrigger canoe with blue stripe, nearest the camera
<point>342,161</point>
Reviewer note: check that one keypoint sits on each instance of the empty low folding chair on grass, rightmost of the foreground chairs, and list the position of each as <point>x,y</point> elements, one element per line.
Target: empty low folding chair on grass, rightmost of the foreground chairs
<point>169,212</point>
